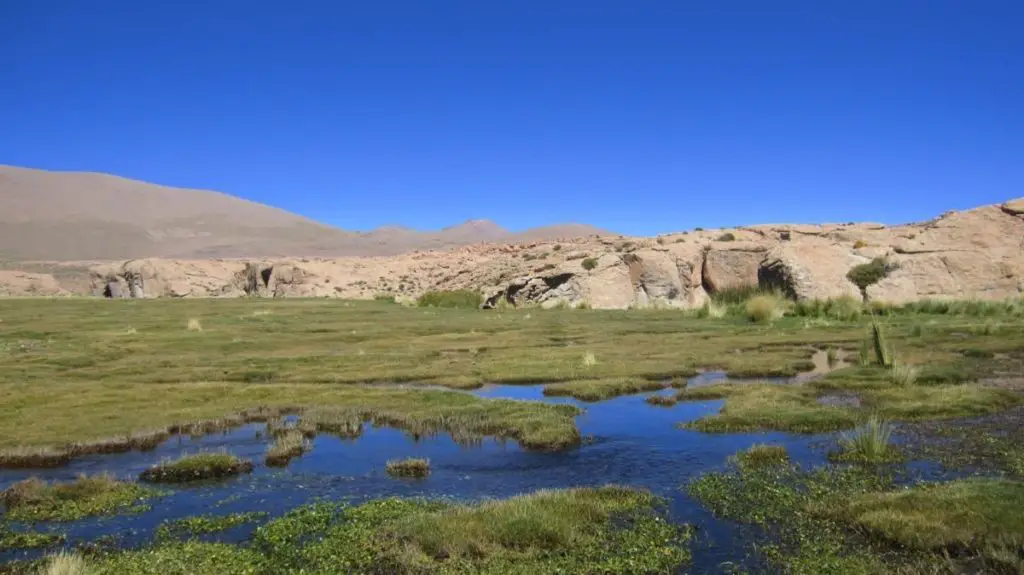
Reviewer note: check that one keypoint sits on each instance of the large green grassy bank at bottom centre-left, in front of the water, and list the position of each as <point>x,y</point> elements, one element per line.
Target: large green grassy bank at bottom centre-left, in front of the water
<point>590,530</point>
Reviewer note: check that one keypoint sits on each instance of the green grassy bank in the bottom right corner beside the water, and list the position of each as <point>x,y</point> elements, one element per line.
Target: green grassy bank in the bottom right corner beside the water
<point>856,521</point>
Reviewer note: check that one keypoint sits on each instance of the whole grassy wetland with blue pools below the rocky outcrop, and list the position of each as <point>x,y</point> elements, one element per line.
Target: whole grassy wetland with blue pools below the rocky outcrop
<point>836,402</point>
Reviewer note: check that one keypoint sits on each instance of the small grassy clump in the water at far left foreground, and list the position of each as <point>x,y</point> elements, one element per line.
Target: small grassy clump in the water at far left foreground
<point>33,500</point>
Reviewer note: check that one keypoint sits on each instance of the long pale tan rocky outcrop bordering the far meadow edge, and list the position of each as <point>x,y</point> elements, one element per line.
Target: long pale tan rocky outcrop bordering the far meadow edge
<point>972,254</point>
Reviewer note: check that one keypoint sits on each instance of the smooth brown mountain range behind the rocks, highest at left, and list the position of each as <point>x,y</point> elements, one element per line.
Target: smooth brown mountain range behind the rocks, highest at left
<point>66,216</point>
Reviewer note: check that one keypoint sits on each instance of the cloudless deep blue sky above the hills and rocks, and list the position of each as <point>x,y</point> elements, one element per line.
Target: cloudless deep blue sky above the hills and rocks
<point>637,116</point>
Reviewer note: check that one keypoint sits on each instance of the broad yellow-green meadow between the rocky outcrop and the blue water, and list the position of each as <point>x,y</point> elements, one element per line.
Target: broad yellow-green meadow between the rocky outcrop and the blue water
<point>74,380</point>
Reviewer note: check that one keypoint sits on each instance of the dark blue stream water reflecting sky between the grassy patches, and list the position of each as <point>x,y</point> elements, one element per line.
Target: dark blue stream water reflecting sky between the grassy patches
<point>628,443</point>
